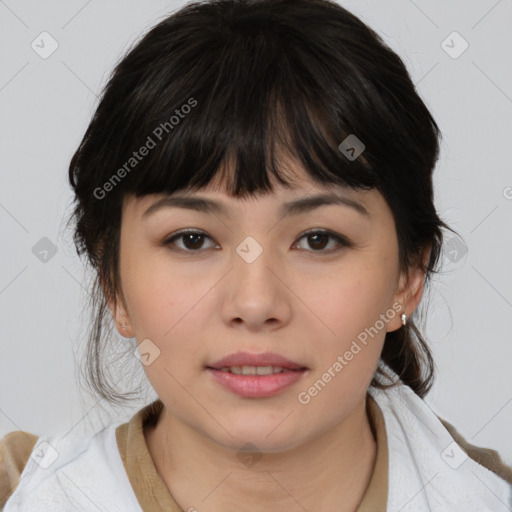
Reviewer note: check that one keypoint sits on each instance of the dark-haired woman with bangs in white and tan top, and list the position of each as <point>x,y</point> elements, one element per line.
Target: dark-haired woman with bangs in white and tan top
<point>255,195</point>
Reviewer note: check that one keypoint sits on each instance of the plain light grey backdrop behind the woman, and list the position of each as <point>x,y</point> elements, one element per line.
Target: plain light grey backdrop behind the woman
<point>46,104</point>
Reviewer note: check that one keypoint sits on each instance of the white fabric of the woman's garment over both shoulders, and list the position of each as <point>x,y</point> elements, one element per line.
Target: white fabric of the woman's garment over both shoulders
<point>428,471</point>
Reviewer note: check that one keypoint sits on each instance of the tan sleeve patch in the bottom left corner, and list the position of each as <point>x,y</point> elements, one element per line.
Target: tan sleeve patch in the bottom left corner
<point>15,449</point>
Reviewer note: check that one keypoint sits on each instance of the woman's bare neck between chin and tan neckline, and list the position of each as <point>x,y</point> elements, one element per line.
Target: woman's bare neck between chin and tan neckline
<point>328,473</point>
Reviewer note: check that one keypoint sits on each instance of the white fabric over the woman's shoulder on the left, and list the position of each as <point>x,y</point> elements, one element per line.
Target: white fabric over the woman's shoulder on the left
<point>61,465</point>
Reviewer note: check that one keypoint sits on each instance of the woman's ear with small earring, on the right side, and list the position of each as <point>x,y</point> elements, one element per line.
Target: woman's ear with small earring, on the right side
<point>409,291</point>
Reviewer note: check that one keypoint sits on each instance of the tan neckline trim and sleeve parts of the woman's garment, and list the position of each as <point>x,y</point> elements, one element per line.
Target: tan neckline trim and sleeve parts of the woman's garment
<point>151,492</point>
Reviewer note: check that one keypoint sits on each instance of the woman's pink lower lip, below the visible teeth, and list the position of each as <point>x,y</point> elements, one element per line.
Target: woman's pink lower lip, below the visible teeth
<point>256,386</point>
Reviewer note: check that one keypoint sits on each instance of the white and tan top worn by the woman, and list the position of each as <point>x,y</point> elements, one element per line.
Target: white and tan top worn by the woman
<point>420,466</point>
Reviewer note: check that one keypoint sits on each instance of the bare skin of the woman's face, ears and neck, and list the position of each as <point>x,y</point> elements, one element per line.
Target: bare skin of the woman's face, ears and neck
<point>294,299</point>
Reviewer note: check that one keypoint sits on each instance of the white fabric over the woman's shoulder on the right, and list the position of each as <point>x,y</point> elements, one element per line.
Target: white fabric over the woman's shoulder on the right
<point>428,470</point>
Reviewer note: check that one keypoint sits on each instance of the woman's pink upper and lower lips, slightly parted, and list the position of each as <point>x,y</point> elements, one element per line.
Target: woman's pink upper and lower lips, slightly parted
<point>256,386</point>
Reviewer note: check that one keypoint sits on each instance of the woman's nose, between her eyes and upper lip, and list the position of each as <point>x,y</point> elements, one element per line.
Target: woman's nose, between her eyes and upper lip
<point>256,296</point>
